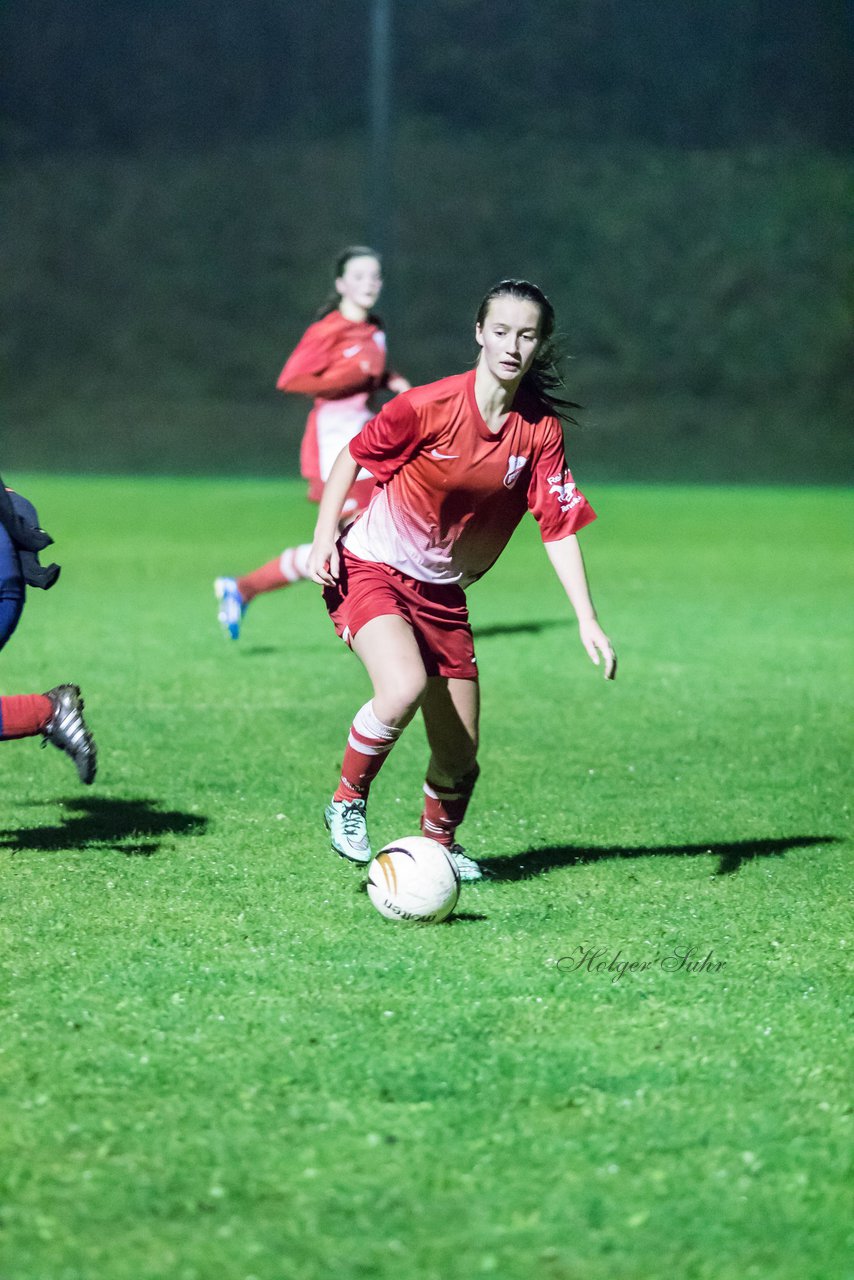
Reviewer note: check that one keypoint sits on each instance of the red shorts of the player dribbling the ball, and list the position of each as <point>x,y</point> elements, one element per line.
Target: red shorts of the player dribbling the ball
<point>436,611</point>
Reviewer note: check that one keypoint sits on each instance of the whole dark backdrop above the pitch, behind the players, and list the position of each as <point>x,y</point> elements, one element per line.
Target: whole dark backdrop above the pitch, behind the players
<point>179,176</point>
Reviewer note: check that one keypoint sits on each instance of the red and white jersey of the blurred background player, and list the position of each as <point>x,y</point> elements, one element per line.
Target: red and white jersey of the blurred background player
<point>340,363</point>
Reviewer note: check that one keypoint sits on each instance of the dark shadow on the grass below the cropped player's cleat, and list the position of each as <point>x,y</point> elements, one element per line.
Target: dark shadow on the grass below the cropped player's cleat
<point>133,828</point>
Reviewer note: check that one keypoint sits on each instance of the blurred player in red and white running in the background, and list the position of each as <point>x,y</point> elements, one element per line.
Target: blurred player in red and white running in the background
<point>340,362</point>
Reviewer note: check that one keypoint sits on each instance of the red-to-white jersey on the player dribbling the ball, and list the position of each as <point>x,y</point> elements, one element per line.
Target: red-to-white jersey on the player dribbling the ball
<point>451,492</point>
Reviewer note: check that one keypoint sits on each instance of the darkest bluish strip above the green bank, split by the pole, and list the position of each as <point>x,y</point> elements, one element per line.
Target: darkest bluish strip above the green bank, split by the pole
<point>125,75</point>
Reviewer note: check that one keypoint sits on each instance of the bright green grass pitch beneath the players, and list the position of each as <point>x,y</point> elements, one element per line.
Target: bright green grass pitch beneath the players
<point>217,1060</point>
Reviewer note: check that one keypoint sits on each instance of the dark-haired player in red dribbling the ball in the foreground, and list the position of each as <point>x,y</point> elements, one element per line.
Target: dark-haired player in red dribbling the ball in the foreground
<point>458,465</point>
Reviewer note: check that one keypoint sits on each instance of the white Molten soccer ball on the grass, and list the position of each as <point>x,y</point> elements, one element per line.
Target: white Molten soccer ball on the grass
<point>414,880</point>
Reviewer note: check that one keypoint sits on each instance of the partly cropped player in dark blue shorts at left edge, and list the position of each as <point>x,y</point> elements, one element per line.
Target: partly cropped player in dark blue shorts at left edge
<point>58,715</point>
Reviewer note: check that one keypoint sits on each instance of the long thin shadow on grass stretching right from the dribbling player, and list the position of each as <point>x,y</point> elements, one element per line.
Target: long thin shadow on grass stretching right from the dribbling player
<point>732,854</point>
